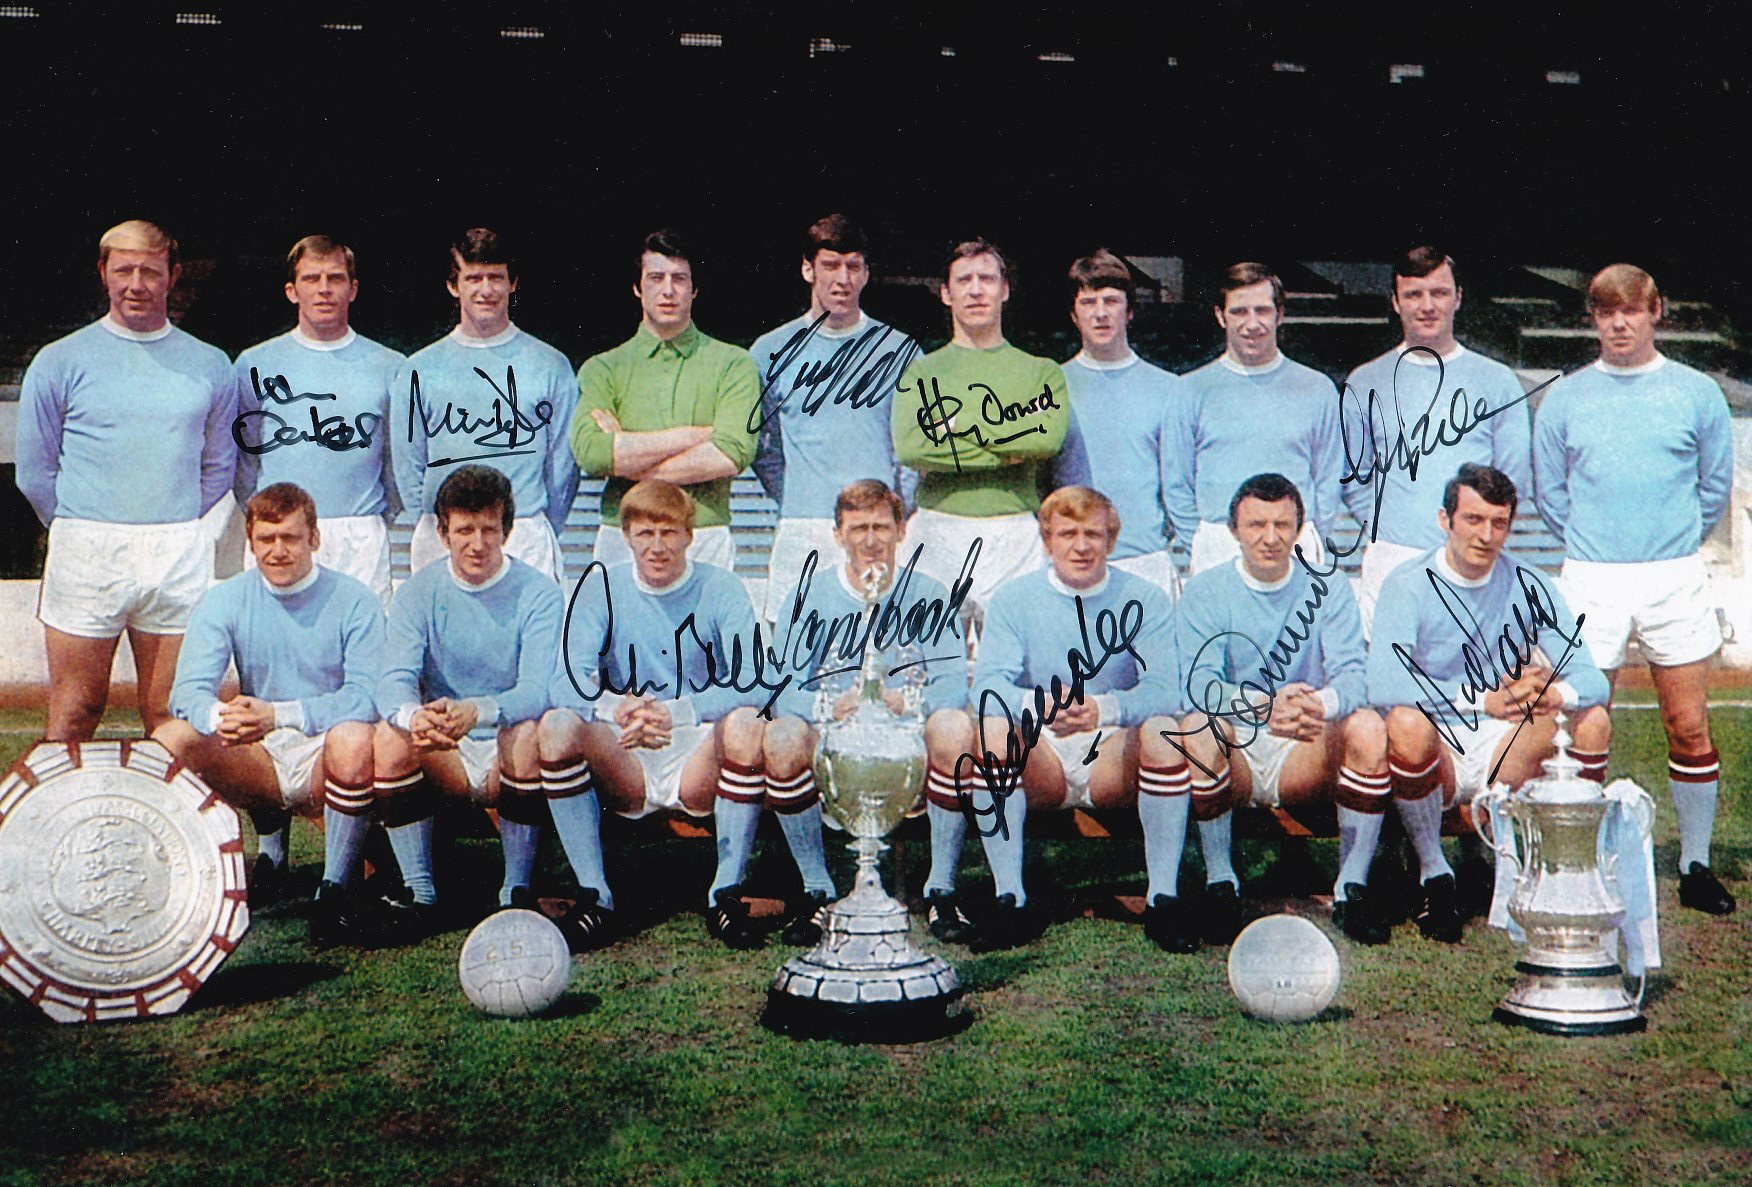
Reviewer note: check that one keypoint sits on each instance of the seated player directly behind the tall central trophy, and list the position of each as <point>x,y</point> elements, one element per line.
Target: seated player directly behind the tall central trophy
<point>828,628</point>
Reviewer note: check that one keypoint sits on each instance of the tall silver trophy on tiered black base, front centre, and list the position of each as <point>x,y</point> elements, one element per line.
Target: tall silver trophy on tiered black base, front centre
<point>866,981</point>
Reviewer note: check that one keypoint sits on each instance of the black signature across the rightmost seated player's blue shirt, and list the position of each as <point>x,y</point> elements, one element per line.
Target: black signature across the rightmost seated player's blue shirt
<point>1481,663</point>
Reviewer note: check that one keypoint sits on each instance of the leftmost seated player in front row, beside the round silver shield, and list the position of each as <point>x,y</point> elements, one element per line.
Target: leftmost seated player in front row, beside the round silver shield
<point>297,738</point>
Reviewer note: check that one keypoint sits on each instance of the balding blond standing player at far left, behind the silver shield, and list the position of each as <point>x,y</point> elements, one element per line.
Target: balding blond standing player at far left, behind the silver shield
<point>124,446</point>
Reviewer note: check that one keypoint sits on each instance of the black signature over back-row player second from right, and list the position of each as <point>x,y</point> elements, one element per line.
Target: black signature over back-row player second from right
<point>1373,465</point>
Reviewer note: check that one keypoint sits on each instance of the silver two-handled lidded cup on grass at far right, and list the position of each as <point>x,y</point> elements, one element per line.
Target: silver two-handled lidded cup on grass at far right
<point>1571,980</point>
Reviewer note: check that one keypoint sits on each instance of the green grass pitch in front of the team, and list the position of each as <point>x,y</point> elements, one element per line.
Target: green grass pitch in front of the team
<point>1092,1057</point>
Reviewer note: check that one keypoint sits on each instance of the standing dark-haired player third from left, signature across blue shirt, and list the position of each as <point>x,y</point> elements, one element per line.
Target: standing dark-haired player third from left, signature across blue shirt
<point>486,393</point>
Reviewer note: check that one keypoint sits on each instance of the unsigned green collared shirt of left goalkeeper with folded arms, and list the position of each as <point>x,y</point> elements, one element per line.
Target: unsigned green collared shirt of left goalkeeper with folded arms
<point>651,384</point>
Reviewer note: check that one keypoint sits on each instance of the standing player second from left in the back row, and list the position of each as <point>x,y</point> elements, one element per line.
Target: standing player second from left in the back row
<point>314,407</point>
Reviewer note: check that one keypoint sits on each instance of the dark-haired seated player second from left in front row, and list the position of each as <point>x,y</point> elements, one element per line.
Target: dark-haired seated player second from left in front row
<point>467,664</point>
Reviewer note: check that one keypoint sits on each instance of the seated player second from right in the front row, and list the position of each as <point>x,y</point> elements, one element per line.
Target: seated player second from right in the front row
<point>1275,677</point>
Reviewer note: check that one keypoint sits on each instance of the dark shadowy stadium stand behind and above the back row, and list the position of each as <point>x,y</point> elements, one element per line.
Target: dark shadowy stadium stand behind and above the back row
<point>1201,132</point>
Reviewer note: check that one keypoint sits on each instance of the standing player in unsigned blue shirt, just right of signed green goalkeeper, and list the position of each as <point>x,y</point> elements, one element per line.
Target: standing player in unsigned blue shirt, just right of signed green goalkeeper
<point>1120,419</point>
